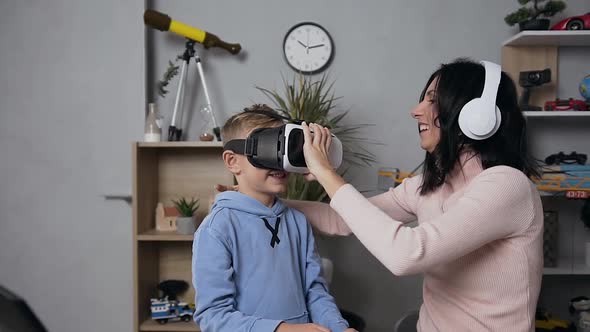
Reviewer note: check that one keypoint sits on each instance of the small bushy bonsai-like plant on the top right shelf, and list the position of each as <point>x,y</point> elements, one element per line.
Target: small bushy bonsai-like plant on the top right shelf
<point>528,18</point>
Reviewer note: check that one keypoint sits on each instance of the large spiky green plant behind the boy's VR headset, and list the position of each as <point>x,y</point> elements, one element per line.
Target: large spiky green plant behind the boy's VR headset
<point>305,98</point>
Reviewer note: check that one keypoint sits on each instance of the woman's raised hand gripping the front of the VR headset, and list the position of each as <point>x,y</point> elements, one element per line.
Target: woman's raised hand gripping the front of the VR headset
<point>315,150</point>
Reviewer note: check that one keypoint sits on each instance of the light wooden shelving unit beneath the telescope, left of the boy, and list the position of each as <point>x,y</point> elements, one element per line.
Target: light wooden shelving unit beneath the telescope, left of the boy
<point>161,172</point>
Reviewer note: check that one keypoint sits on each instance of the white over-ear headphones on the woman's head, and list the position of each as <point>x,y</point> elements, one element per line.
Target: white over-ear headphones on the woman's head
<point>480,118</point>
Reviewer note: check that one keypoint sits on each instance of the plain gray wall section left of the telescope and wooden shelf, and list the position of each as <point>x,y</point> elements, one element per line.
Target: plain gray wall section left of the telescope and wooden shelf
<point>72,99</point>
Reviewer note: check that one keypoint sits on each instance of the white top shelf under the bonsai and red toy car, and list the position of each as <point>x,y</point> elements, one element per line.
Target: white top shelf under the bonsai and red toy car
<point>550,38</point>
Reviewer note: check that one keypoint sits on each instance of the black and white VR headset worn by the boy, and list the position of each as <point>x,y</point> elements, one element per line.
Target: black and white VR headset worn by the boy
<point>280,148</point>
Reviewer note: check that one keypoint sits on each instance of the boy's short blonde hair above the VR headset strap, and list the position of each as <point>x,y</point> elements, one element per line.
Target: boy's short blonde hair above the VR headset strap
<point>251,118</point>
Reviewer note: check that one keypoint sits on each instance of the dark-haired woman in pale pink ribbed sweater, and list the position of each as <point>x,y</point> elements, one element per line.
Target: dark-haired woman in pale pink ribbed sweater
<point>479,236</point>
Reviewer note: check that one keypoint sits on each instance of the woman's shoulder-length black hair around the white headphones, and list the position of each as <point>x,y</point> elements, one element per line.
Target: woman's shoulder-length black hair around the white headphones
<point>458,83</point>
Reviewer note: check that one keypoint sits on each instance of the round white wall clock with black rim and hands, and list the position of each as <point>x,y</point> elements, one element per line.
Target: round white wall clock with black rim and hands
<point>308,48</point>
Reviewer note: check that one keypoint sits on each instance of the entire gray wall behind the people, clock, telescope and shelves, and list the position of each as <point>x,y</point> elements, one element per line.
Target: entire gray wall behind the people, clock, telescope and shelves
<point>72,98</point>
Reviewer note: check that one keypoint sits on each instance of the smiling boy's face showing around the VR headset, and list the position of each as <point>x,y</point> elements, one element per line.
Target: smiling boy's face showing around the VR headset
<point>262,184</point>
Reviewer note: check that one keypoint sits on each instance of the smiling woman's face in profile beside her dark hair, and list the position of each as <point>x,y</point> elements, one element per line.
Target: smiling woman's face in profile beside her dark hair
<point>426,113</point>
